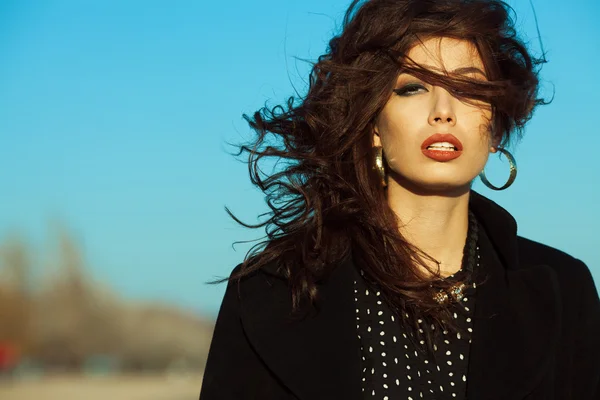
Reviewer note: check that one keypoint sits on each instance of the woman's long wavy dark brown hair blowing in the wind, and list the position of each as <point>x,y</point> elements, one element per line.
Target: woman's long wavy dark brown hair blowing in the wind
<point>325,197</point>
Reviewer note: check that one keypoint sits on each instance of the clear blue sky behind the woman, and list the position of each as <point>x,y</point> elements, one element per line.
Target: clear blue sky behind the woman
<point>114,118</point>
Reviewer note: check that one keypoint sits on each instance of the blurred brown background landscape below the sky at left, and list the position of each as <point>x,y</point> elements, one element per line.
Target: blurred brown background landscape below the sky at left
<point>67,323</point>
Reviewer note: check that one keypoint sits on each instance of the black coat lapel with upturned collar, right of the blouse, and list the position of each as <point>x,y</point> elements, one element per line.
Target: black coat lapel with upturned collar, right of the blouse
<point>517,314</point>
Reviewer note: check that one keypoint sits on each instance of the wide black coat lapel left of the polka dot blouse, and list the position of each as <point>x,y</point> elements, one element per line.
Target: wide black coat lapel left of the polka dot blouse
<point>317,357</point>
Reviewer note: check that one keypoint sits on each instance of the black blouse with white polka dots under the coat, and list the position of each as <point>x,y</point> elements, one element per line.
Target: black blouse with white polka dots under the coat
<point>392,366</point>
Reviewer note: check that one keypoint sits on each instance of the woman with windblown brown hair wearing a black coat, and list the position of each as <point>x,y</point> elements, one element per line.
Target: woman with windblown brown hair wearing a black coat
<point>384,275</point>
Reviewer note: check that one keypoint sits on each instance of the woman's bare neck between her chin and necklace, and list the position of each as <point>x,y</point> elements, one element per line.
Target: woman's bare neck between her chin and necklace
<point>436,223</point>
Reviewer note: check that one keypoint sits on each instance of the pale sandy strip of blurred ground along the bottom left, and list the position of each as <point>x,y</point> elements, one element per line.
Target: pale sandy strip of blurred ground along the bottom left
<point>132,387</point>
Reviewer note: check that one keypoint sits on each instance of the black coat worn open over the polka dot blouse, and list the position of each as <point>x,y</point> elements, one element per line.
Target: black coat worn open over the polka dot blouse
<point>536,330</point>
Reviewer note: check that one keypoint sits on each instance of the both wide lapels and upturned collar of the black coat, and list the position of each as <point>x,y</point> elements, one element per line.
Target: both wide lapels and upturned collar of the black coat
<point>516,323</point>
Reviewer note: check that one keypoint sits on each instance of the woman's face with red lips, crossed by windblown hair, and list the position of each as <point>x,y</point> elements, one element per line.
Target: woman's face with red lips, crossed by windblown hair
<point>416,111</point>
